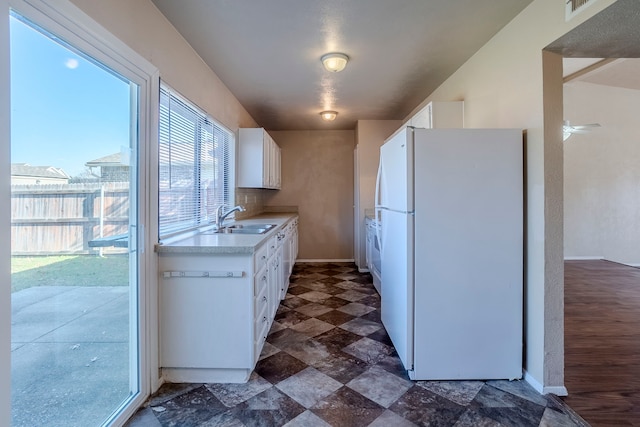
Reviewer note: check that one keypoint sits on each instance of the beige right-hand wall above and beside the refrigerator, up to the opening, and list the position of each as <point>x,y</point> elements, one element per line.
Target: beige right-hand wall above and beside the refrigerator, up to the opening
<point>502,86</point>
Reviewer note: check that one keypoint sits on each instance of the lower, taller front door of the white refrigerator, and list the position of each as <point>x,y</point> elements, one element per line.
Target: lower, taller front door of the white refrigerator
<point>397,282</point>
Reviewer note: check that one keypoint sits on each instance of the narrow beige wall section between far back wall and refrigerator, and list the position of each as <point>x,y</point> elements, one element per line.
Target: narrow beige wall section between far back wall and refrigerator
<point>370,135</point>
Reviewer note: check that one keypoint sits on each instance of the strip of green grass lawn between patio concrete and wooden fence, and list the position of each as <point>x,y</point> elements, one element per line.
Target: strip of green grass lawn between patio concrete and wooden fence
<point>69,270</point>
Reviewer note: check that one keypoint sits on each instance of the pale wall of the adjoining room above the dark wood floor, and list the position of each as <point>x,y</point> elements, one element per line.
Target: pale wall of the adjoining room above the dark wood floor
<point>602,177</point>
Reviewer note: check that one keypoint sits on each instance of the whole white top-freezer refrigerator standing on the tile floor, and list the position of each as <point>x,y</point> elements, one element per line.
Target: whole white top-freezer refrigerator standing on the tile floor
<point>450,203</point>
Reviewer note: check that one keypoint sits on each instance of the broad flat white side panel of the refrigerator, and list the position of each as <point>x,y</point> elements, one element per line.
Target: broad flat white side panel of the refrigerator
<point>469,239</point>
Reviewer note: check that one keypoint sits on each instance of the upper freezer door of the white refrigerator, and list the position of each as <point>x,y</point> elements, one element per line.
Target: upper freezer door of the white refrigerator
<point>396,172</point>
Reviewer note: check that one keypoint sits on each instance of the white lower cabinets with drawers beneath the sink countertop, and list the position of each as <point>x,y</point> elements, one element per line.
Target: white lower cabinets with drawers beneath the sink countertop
<point>216,311</point>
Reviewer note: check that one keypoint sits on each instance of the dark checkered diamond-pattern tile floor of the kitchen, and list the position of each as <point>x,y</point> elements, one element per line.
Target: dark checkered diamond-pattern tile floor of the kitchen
<point>329,362</point>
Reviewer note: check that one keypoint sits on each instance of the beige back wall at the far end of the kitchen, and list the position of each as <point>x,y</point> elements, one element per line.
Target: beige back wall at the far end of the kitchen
<point>317,176</point>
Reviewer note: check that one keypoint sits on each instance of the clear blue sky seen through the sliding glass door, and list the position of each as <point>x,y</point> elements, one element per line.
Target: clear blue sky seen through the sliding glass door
<point>65,109</point>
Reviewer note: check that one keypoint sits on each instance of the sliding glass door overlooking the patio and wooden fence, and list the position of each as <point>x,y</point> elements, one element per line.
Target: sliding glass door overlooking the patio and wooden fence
<point>76,234</point>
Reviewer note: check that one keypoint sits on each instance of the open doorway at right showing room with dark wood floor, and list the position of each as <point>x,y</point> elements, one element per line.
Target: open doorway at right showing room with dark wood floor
<point>601,202</point>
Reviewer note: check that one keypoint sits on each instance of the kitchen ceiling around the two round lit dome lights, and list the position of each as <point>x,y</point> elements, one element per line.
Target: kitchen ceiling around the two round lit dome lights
<point>268,52</point>
